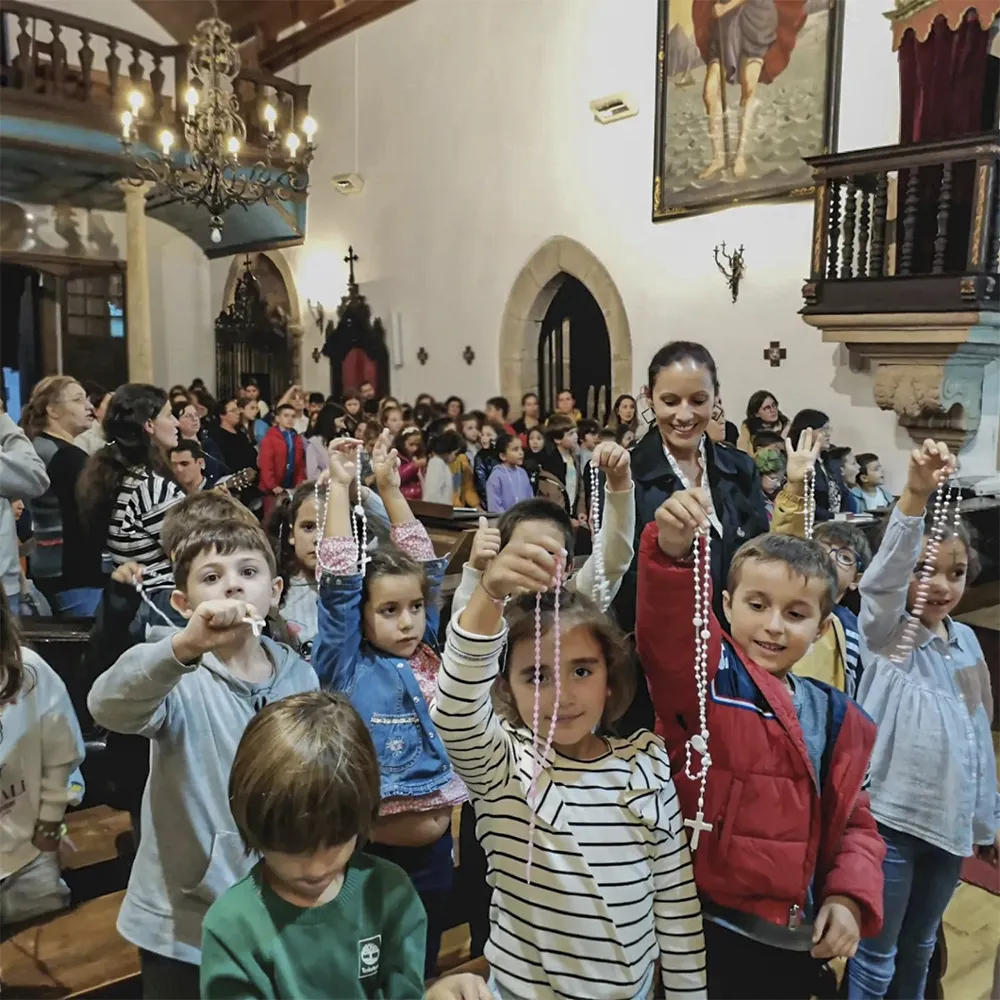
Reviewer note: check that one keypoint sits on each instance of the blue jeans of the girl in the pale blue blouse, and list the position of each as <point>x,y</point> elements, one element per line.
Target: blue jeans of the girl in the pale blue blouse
<point>919,882</point>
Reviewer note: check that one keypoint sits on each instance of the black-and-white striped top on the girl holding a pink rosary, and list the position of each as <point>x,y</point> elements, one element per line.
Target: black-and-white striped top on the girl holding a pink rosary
<point>611,888</point>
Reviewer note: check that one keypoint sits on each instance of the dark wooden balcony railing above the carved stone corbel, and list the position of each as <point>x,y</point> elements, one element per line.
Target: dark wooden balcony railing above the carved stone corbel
<point>907,229</point>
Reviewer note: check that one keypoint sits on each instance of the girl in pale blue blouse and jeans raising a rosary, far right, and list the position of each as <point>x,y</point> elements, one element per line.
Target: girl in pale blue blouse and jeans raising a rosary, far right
<point>933,782</point>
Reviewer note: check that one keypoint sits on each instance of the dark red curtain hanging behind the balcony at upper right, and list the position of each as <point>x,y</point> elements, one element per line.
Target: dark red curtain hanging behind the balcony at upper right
<point>942,81</point>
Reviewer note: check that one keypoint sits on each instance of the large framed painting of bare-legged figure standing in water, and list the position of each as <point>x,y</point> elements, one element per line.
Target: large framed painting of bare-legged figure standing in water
<point>745,89</point>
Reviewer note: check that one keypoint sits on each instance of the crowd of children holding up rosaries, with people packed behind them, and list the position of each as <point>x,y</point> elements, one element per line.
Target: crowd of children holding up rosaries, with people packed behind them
<point>815,777</point>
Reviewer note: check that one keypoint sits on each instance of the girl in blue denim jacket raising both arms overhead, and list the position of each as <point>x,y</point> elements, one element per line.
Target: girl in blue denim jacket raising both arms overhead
<point>377,643</point>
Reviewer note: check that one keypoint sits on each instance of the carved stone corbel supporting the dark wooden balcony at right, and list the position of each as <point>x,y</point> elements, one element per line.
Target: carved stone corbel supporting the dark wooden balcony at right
<point>928,368</point>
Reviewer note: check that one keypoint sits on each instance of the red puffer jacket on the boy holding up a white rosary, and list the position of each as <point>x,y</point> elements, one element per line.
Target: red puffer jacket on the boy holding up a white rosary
<point>772,833</point>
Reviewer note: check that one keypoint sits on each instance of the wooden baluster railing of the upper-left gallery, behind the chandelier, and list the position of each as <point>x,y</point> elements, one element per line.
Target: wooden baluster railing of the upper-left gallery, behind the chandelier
<point>73,69</point>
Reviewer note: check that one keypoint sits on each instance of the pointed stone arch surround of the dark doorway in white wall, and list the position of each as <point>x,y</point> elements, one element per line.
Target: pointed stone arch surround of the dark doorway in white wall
<point>531,295</point>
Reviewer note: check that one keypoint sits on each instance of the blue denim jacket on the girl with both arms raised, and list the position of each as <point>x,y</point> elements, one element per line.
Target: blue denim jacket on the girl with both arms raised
<point>383,689</point>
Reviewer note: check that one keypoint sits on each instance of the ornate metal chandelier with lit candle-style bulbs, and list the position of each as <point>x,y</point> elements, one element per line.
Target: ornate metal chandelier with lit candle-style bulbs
<point>206,170</point>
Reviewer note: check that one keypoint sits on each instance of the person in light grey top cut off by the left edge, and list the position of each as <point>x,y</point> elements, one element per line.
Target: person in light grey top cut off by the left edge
<point>22,477</point>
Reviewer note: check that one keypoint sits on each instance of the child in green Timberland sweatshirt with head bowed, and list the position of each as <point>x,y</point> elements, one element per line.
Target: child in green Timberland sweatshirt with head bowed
<point>316,916</point>
